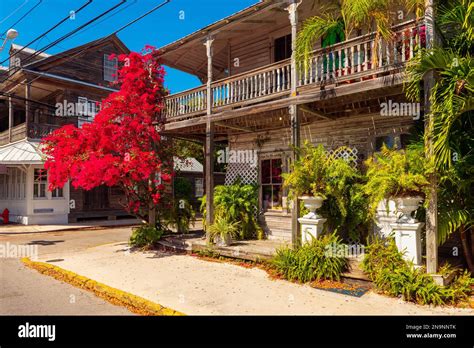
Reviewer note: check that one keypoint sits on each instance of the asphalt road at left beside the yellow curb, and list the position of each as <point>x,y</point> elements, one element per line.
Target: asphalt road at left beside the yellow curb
<point>24,291</point>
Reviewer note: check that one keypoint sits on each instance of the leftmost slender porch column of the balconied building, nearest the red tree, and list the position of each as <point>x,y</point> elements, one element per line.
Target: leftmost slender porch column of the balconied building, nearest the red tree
<point>209,146</point>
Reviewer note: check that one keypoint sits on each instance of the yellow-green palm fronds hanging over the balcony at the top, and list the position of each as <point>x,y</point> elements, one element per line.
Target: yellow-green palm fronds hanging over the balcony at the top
<point>339,18</point>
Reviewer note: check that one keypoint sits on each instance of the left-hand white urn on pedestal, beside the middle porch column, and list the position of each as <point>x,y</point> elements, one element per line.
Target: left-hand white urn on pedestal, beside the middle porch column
<point>311,224</point>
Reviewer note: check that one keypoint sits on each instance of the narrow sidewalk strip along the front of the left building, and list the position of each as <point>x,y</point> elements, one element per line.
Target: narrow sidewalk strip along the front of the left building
<point>23,229</point>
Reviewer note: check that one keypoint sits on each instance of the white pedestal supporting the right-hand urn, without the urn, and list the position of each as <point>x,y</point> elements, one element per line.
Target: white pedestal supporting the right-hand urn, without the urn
<point>408,240</point>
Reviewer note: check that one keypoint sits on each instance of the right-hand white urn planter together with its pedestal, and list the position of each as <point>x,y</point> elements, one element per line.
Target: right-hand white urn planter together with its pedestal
<point>407,229</point>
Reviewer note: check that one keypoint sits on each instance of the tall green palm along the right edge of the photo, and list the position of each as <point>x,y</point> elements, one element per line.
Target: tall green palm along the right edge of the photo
<point>452,108</point>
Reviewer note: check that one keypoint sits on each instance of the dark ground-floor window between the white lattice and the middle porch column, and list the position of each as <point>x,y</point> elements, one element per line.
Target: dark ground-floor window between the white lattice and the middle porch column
<point>271,184</point>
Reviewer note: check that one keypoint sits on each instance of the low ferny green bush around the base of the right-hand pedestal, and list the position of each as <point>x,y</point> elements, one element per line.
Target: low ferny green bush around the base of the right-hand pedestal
<point>393,276</point>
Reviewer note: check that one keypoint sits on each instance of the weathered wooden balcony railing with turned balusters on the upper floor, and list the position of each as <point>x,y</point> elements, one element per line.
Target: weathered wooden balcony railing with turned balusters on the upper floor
<point>350,60</point>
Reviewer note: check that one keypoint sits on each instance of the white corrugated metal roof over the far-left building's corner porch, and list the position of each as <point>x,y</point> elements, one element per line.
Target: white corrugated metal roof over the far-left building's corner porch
<point>22,152</point>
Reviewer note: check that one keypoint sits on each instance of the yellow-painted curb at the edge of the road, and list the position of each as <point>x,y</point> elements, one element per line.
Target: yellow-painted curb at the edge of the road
<point>134,303</point>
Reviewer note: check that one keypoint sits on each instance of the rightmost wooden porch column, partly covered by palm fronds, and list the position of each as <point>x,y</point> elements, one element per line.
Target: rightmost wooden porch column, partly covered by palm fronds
<point>432,210</point>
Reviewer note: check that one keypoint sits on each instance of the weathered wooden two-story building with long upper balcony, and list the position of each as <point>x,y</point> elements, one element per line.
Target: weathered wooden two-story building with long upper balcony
<point>254,99</point>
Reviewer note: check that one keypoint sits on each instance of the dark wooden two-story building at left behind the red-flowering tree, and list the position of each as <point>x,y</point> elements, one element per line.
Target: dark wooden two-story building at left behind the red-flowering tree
<point>39,93</point>
